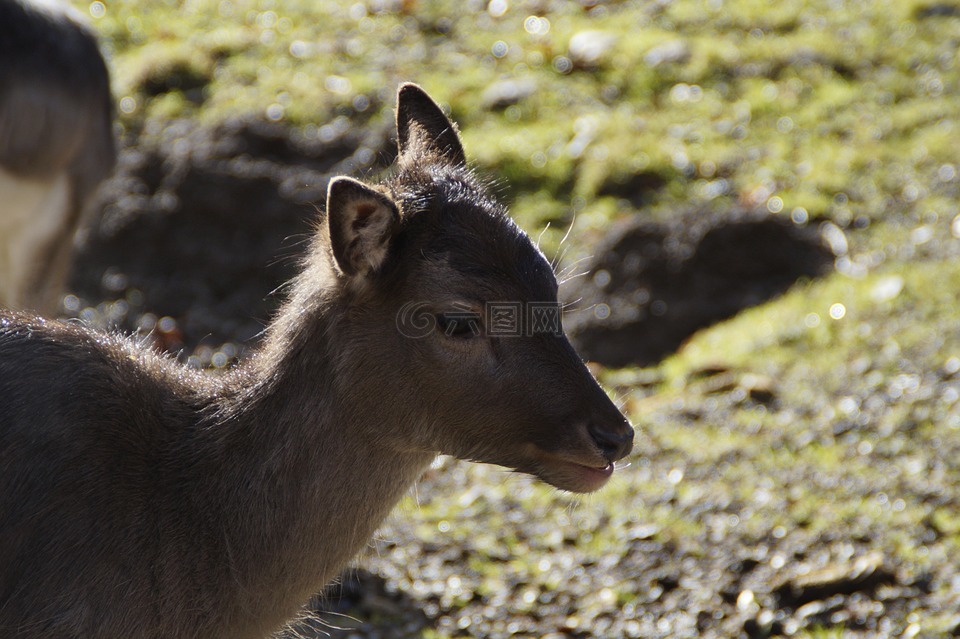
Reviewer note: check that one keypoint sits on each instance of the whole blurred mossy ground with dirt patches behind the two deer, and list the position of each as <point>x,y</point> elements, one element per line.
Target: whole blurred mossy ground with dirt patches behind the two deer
<point>754,207</point>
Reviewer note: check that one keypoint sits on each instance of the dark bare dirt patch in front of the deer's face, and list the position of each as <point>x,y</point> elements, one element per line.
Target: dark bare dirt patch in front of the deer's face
<point>651,285</point>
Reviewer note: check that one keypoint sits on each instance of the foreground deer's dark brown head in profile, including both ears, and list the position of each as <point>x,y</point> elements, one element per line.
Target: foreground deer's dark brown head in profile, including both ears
<point>451,322</point>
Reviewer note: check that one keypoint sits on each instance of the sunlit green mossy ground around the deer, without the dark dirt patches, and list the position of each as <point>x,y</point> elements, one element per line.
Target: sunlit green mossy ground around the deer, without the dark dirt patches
<point>821,426</point>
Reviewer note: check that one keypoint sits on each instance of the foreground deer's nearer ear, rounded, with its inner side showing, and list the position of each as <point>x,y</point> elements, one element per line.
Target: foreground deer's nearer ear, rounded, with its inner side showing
<point>361,222</point>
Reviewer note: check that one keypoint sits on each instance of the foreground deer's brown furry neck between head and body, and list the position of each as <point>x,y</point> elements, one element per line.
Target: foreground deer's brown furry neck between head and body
<point>307,484</point>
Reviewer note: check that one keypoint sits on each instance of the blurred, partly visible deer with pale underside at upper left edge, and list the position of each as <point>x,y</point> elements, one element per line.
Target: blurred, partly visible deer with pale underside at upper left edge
<point>56,146</point>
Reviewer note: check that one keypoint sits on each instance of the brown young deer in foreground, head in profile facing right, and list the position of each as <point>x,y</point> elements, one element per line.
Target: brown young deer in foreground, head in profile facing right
<point>143,499</point>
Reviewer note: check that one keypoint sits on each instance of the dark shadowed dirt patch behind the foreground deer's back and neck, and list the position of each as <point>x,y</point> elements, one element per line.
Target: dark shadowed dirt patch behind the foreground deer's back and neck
<point>201,226</point>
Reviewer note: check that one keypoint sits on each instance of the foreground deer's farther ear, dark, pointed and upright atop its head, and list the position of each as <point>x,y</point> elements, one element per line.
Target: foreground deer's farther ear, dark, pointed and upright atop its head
<point>423,126</point>
